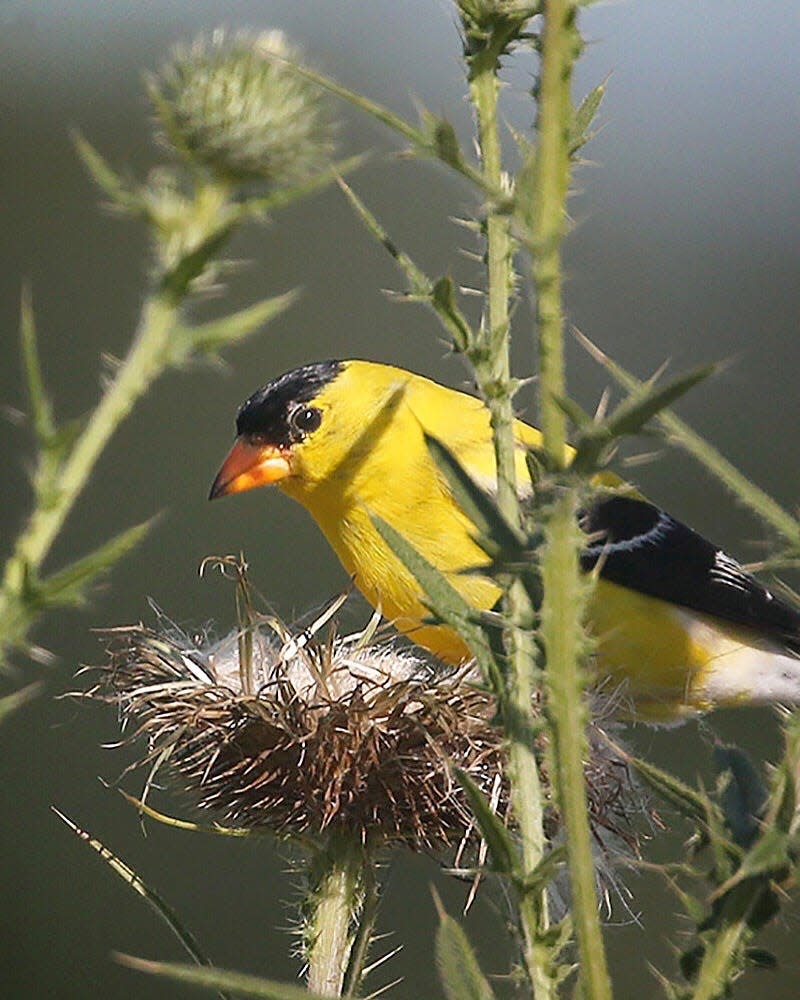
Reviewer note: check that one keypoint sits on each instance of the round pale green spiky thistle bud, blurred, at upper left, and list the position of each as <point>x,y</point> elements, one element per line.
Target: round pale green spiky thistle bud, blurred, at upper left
<point>234,104</point>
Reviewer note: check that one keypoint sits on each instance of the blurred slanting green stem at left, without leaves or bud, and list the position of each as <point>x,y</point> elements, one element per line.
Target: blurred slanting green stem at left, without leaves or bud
<point>145,362</point>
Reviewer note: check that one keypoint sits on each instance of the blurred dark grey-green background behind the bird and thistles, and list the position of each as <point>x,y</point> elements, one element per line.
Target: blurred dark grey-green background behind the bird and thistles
<point>685,247</point>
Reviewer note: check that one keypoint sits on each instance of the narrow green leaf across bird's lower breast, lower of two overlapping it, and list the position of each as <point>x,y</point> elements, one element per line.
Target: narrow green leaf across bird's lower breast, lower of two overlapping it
<point>443,599</point>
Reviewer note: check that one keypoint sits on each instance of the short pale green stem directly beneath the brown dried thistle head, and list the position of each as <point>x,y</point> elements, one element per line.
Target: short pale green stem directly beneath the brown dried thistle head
<point>335,900</point>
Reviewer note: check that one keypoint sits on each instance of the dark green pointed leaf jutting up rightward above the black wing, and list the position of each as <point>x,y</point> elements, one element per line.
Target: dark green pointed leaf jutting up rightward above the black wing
<point>631,416</point>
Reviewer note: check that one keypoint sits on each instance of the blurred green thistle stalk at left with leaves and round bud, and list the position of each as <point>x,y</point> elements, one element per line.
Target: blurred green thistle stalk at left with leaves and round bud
<point>214,183</point>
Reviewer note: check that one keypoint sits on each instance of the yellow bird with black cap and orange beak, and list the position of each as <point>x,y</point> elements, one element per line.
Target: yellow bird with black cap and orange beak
<point>679,624</point>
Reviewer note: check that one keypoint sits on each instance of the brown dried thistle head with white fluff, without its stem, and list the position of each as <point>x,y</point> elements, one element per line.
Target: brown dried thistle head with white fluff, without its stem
<point>274,729</point>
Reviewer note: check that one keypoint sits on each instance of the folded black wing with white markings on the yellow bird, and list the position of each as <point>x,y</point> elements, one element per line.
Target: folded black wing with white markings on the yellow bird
<point>641,547</point>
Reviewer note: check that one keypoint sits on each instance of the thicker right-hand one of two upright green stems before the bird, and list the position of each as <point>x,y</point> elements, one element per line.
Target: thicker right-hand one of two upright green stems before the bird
<point>563,603</point>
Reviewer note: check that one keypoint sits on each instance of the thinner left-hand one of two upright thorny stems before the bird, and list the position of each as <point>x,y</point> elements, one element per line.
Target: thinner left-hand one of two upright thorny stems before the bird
<point>492,366</point>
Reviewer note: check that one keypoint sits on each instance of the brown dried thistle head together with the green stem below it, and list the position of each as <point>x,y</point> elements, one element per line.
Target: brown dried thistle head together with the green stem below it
<point>344,746</point>
